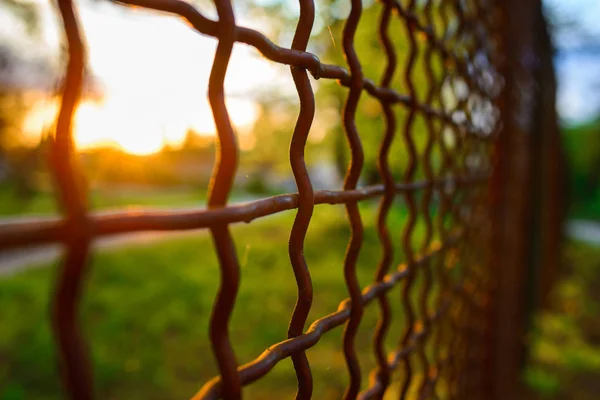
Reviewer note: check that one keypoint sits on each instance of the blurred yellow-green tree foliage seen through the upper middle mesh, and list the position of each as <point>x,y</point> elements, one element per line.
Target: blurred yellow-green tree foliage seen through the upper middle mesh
<point>278,115</point>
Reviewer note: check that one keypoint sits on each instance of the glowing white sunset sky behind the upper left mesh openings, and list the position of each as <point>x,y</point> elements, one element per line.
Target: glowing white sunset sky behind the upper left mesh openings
<point>154,70</point>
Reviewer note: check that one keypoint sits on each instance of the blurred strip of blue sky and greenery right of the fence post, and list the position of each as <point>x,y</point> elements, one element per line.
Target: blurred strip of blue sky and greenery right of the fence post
<point>564,339</point>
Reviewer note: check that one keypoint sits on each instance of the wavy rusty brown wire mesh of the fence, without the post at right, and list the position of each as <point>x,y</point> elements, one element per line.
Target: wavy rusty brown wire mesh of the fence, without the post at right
<point>441,352</point>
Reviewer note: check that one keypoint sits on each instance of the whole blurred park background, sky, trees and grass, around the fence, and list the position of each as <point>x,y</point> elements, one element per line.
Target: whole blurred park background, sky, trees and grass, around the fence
<point>146,137</point>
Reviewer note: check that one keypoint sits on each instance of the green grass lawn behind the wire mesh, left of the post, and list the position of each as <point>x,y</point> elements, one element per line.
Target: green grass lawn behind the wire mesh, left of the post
<point>145,312</point>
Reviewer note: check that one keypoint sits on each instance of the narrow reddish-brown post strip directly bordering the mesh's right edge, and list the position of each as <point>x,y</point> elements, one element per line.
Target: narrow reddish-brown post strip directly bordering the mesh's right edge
<point>511,200</point>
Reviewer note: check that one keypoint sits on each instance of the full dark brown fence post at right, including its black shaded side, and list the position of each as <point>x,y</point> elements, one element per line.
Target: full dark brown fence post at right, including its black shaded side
<point>527,203</point>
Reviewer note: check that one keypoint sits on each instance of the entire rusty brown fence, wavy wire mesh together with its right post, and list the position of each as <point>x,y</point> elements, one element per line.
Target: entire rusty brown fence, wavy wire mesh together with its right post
<point>471,263</point>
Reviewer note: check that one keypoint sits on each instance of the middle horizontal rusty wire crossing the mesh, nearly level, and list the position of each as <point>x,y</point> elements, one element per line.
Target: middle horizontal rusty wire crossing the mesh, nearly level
<point>48,231</point>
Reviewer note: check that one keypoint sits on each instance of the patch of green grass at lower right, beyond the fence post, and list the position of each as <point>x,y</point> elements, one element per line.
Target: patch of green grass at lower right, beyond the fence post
<point>565,341</point>
